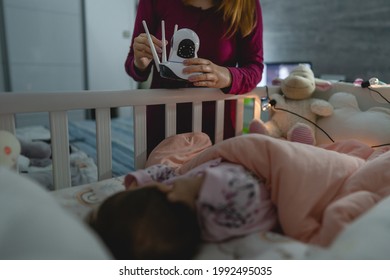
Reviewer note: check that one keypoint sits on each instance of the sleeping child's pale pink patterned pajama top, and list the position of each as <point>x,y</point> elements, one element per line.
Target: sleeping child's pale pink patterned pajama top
<point>231,203</point>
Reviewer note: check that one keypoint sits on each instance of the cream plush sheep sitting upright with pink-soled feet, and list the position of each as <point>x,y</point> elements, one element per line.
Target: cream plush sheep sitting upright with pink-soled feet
<point>297,90</point>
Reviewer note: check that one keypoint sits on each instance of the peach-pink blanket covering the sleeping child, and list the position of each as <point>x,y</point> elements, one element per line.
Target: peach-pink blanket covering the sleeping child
<point>317,191</point>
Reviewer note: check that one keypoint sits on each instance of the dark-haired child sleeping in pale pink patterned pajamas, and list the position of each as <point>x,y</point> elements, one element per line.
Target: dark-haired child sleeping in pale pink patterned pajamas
<point>164,215</point>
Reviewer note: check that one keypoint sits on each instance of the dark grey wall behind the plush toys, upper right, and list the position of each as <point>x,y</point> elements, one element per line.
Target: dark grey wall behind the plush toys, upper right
<point>347,37</point>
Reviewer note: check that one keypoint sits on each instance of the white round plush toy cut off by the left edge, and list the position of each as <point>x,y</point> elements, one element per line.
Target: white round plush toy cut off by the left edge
<point>9,149</point>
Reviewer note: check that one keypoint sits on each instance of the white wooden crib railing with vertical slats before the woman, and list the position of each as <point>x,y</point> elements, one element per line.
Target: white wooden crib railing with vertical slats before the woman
<point>57,104</point>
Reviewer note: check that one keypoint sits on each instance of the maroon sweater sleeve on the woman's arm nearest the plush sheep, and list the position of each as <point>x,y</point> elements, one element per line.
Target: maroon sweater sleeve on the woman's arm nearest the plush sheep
<point>249,71</point>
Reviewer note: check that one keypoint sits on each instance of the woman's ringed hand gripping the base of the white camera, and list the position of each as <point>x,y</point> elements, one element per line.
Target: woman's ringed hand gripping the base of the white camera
<point>212,75</point>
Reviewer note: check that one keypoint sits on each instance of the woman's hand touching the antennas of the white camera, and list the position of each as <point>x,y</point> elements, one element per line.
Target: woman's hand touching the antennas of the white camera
<point>142,52</point>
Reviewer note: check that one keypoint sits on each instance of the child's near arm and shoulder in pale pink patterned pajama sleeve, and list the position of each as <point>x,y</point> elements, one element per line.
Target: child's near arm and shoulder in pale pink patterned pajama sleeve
<point>232,202</point>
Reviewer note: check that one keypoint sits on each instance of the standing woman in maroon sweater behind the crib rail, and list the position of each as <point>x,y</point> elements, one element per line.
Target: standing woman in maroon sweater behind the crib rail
<point>230,55</point>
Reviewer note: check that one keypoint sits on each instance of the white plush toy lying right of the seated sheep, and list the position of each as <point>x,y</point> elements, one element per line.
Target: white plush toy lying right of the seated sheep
<point>349,122</point>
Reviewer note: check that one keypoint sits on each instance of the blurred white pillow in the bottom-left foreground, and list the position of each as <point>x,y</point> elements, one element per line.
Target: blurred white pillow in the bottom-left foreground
<point>35,226</point>
